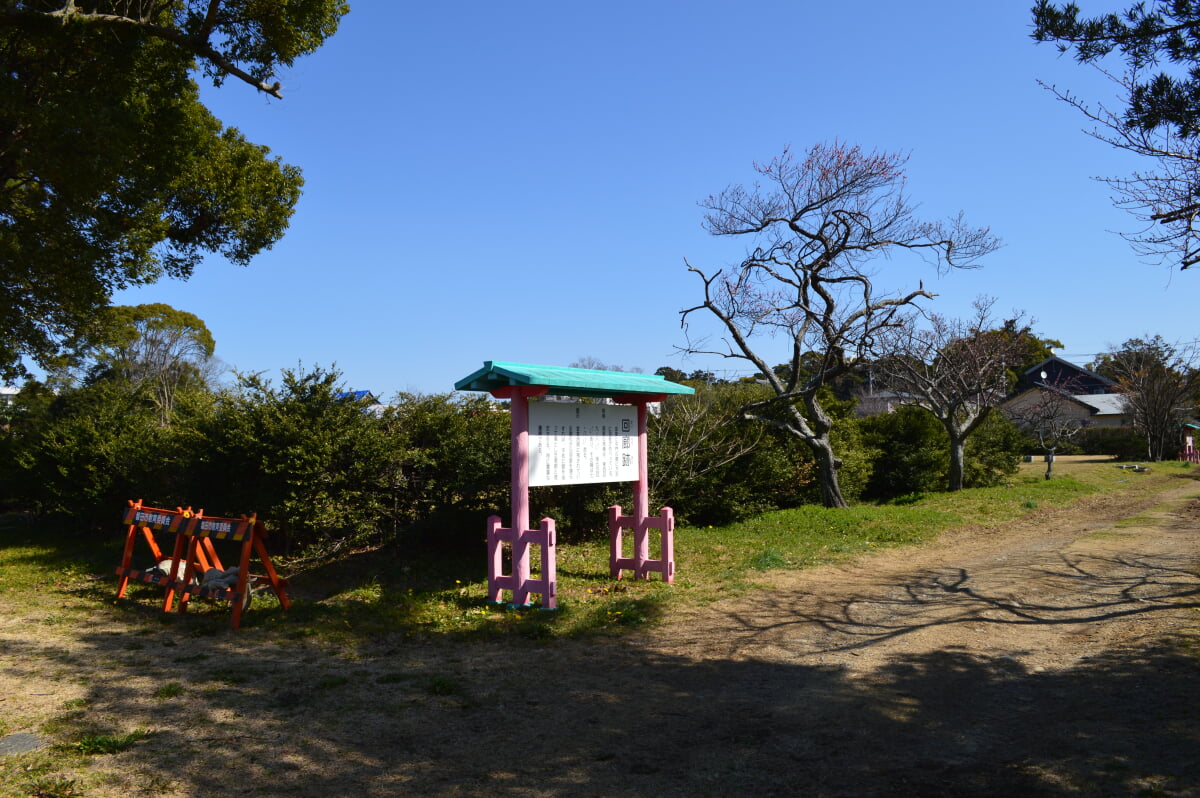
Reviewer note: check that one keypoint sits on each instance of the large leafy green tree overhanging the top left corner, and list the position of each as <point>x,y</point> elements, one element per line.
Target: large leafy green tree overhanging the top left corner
<point>112,172</point>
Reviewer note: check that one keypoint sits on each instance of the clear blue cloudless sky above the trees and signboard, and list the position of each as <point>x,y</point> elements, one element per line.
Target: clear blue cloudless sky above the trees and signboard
<point>519,182</point>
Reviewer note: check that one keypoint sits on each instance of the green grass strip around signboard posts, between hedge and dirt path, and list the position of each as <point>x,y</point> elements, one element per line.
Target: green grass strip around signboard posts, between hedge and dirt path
<point>441,590</point>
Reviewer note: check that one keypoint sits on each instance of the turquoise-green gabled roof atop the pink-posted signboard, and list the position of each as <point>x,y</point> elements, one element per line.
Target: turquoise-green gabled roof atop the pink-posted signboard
<point>563,381</point>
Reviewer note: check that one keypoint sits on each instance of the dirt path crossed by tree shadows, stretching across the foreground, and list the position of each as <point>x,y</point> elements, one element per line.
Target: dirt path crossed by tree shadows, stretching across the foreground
<point>1045,658</point>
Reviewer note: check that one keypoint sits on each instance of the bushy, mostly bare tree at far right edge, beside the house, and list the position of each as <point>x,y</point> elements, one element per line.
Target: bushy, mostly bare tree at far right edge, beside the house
<point>1160,383</point>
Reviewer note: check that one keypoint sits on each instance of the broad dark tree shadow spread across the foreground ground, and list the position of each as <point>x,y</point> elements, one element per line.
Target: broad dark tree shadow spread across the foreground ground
<point>515,718</point>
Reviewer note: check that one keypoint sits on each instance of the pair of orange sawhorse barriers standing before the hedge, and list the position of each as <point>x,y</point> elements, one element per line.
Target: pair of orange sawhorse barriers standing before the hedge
<point>194,556</point>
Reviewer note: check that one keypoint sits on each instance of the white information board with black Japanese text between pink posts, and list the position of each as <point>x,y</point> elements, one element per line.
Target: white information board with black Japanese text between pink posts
<point>573,443</point>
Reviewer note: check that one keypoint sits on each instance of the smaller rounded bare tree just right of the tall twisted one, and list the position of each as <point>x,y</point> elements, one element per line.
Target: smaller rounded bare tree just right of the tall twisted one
<point>957,370</point>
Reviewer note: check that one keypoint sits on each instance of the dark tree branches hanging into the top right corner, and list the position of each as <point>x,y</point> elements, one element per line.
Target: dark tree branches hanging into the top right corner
<point>1160,43</point>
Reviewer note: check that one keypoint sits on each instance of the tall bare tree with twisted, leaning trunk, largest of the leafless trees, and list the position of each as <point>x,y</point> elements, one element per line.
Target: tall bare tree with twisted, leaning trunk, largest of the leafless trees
<point>815,226</point>
